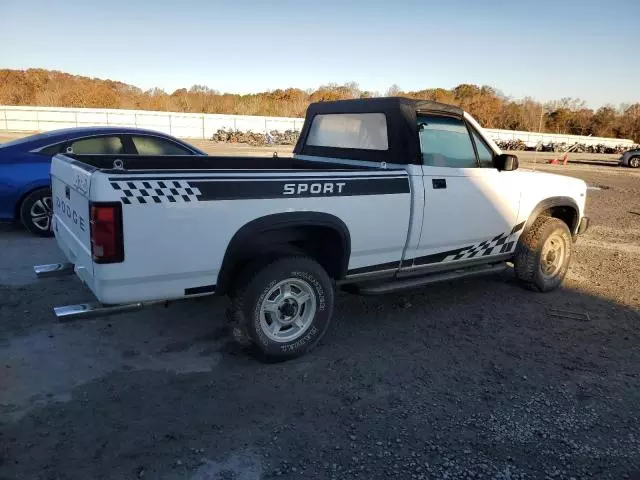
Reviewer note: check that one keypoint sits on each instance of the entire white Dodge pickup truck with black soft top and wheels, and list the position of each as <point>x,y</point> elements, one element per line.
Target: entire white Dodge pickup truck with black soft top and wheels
<point>381,195</point>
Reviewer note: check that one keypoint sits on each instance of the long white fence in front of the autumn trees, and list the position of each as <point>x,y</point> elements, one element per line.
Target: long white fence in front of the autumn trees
<point>198,125</point>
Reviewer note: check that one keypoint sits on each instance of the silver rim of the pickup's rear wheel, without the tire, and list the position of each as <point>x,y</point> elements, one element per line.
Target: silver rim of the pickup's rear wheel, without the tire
<point>287,310</point>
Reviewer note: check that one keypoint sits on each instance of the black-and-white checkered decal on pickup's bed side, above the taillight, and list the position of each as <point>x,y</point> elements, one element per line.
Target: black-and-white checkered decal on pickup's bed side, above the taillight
<point>155,191</point>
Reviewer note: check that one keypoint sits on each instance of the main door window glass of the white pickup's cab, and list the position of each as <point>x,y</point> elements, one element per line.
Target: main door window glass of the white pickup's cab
<point>445,142</point>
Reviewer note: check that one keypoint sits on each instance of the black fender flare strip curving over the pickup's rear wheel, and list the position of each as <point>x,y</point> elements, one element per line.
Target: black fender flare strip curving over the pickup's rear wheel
<point>280,221</point>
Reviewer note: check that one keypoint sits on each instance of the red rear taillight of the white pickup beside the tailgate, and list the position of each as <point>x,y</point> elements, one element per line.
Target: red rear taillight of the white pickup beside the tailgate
<point>107,245</point>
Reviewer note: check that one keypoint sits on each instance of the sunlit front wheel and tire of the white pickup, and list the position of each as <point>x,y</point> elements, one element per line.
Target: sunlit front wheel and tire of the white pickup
<point>549,235</point>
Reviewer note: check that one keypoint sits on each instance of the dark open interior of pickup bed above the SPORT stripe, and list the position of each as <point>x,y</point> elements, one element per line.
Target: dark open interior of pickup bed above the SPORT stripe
<point>149,164</point>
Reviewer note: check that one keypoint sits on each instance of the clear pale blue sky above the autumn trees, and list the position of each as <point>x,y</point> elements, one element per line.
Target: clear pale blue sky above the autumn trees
<point>544,49</point>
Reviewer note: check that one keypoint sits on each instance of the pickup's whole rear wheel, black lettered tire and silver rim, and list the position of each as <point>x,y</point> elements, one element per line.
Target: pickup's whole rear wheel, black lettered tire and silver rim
<point>254,326</point>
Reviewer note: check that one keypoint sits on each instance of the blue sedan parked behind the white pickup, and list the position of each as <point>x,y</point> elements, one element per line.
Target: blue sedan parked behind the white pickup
<point>25,193</point>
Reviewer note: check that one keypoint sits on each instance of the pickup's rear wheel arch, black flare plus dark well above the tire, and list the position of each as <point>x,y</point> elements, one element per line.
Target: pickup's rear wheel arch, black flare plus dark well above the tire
<point>269,234</point>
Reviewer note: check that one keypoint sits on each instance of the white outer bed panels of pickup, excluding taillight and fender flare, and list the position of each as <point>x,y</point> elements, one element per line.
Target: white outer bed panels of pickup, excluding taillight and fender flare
<point>174,246</point>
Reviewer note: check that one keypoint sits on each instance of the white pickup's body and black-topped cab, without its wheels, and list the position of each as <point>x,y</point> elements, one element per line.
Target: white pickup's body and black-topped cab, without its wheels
<point>183,223</point>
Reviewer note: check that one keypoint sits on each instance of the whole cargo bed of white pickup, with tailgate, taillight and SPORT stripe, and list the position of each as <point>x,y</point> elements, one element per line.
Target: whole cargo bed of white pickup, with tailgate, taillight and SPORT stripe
<point>173,219</point>
